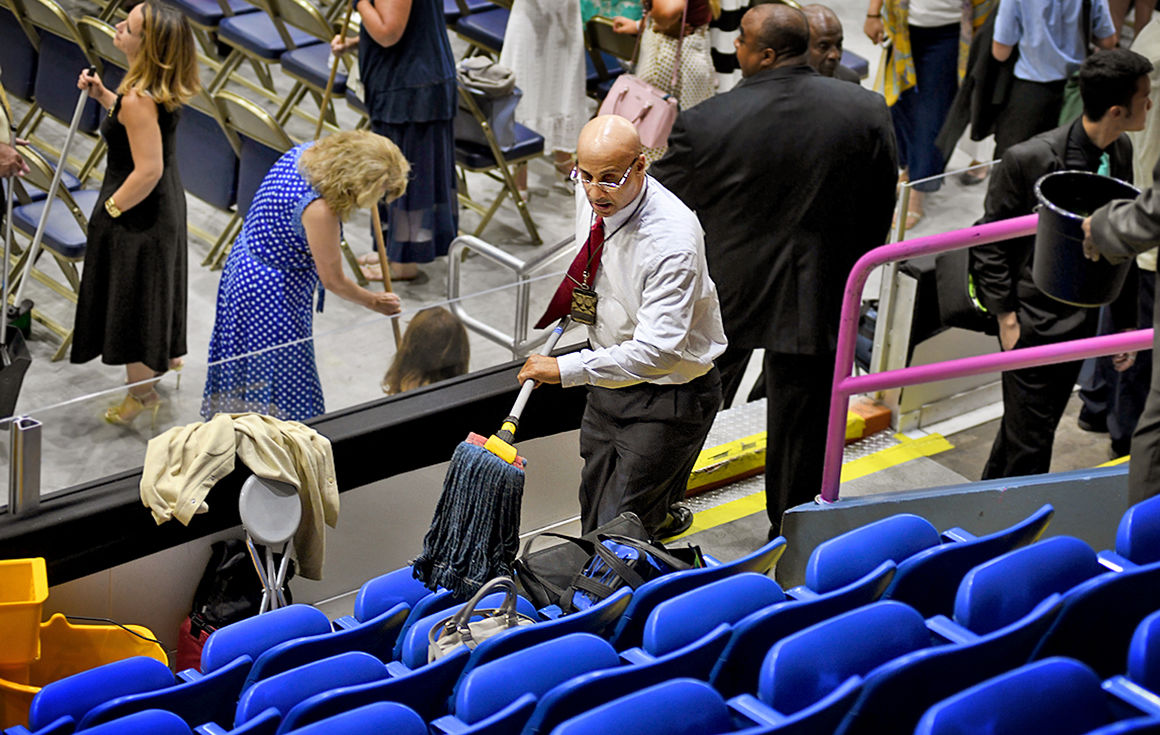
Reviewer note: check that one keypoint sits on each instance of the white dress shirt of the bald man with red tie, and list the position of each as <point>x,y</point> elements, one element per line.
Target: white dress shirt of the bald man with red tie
<point>658,319</point>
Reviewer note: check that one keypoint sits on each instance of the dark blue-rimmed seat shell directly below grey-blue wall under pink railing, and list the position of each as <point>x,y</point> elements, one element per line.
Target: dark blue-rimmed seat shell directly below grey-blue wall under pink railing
<point>930,579</point>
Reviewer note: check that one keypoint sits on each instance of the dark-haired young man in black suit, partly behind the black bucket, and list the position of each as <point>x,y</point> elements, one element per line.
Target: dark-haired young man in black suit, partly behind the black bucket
<point>1115,86</point>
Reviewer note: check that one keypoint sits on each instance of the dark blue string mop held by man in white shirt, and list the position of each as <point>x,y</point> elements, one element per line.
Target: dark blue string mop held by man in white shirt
<point>476,532</point>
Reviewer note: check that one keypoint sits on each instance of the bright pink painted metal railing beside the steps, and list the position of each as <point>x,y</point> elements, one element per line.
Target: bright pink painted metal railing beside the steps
<point>847,385</point>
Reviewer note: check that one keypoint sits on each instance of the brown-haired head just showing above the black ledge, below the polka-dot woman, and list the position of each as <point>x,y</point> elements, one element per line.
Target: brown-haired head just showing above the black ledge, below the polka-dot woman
<point>434,348</point>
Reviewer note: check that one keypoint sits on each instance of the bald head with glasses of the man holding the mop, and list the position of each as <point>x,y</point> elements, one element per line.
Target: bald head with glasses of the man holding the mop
<point>610,154</point>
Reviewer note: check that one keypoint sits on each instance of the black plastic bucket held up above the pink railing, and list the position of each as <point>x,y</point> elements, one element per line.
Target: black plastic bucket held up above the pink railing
<point>1060,268</point>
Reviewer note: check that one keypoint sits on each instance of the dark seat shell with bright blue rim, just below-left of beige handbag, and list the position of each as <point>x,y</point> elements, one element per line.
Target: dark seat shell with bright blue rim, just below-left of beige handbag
<point>426,690</point>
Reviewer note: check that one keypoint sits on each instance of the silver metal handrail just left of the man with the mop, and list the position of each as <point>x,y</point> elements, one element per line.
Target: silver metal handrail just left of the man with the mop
<point>524,271</point>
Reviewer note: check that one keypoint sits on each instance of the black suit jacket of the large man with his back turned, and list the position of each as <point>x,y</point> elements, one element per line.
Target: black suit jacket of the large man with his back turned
<point>793,177</point>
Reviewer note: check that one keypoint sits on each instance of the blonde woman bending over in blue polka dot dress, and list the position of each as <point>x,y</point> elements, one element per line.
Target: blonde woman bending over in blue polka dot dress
<point>263,352</point>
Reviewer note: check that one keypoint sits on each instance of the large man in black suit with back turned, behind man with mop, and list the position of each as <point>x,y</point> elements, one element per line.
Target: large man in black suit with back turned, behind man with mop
<point>793,177</point>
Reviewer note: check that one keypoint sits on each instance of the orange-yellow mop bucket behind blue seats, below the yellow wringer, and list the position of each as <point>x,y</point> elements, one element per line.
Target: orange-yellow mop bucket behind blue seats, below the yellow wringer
<point>68,650</point>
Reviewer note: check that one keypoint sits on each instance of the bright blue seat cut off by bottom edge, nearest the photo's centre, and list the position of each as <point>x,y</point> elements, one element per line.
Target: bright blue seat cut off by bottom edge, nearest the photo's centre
<point>681,707</point>
